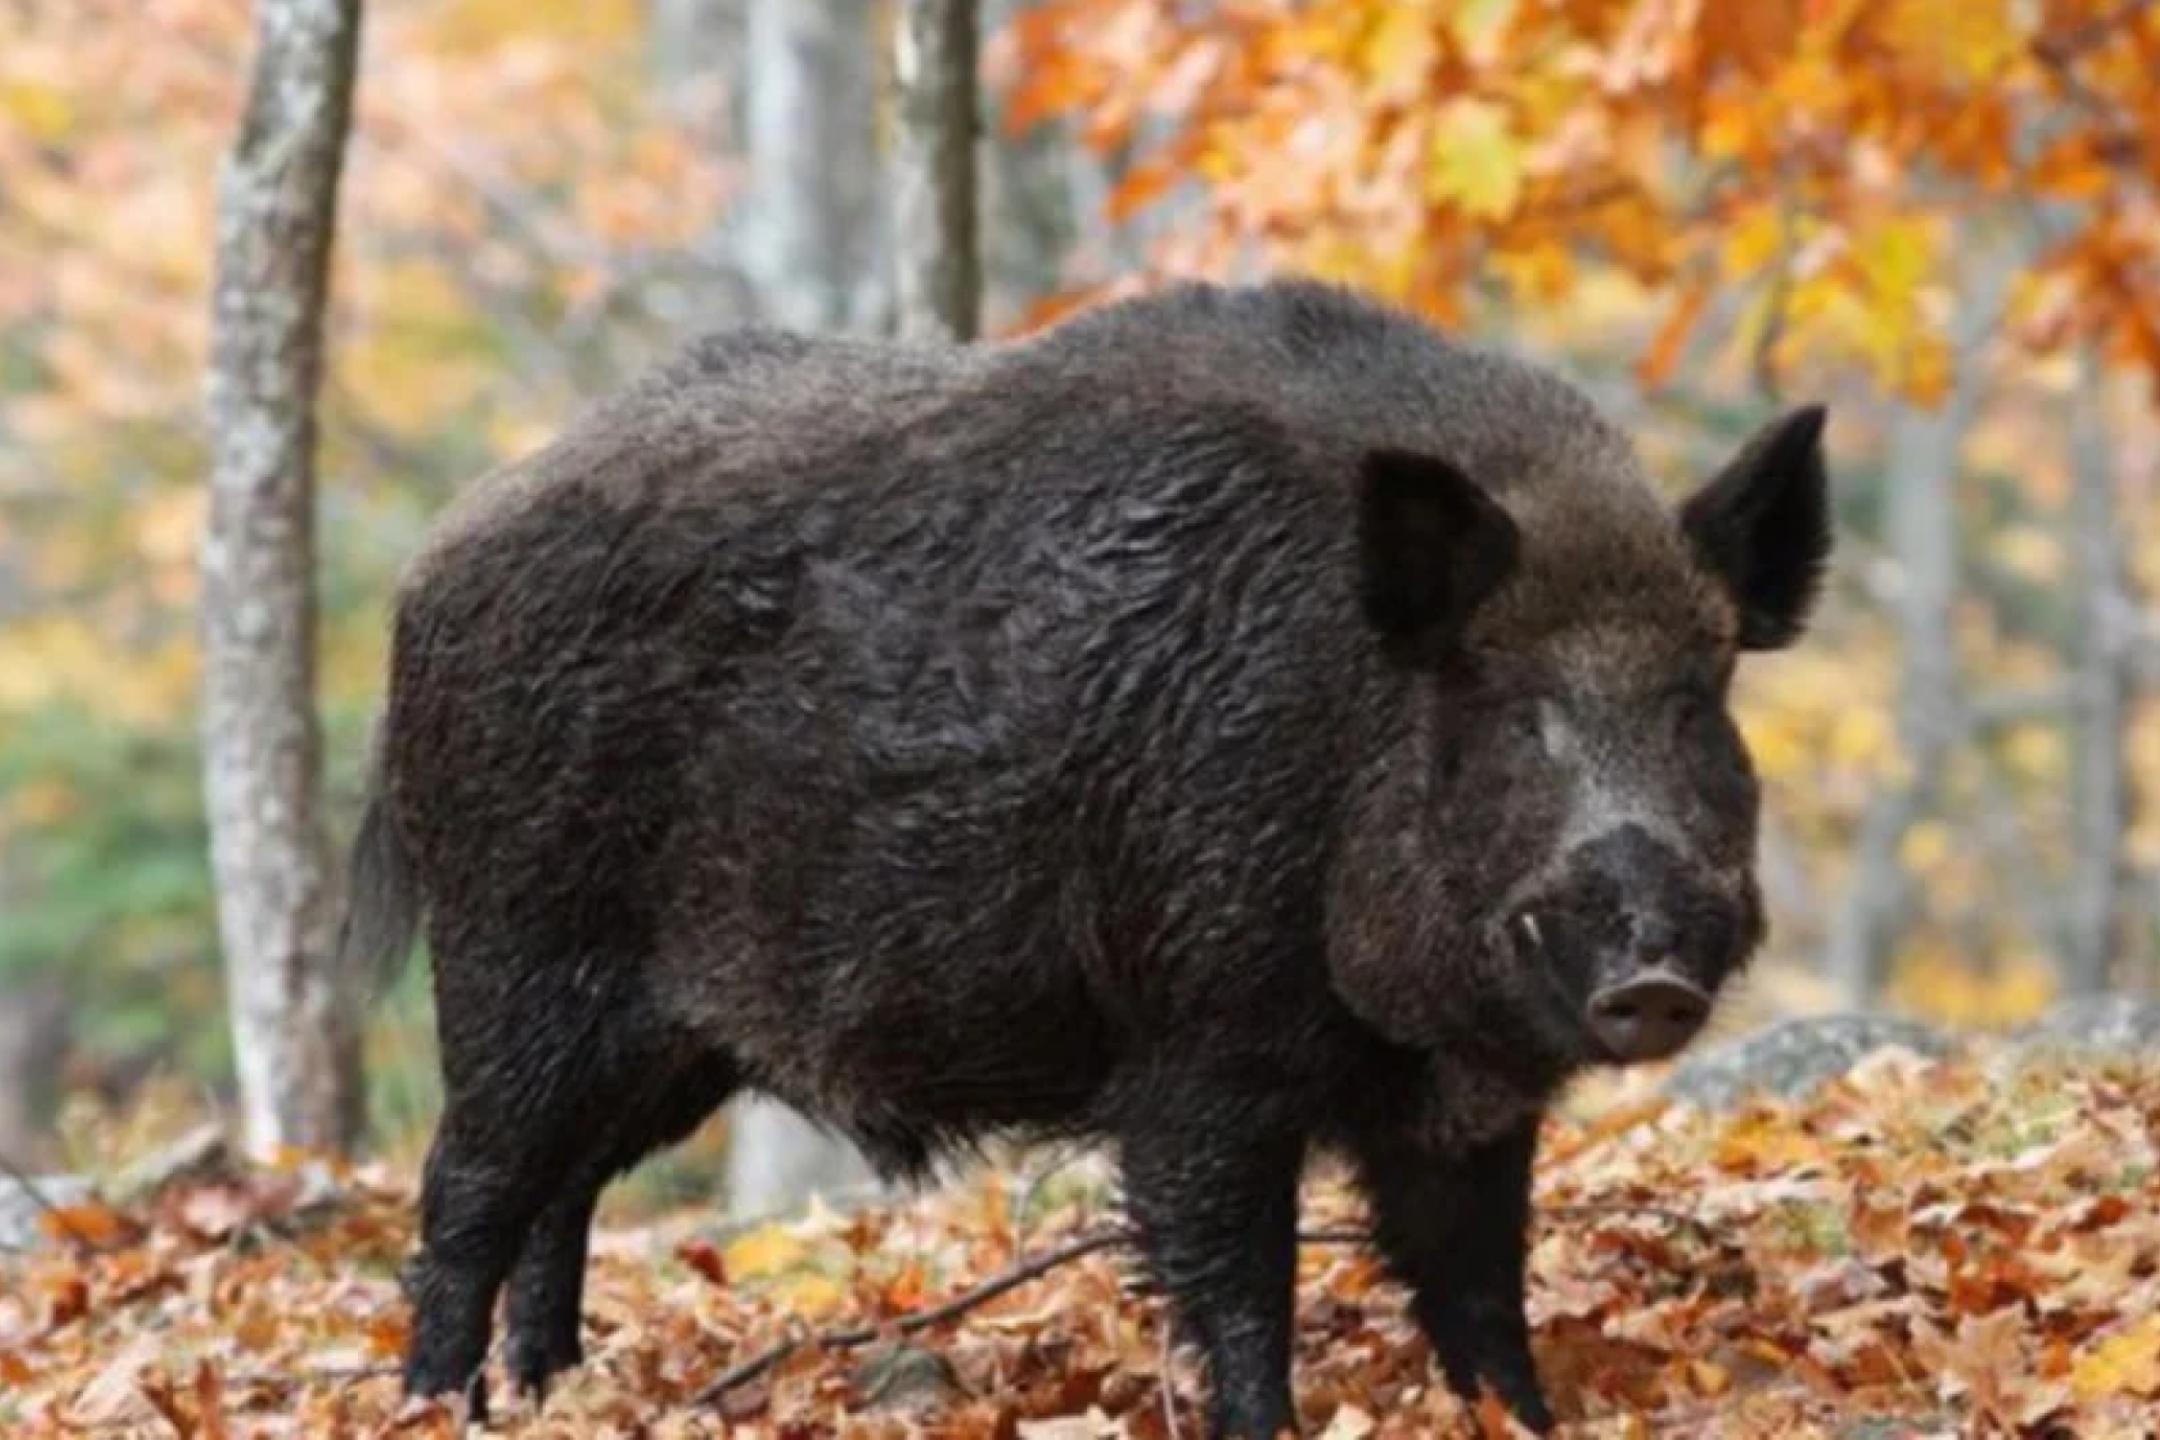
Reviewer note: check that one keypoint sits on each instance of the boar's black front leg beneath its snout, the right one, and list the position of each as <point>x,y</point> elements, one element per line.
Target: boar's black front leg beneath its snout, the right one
<point>1457,1232</point>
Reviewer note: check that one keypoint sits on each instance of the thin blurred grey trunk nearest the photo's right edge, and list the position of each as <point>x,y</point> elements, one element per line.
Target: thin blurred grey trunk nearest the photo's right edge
<point>2103,698</point>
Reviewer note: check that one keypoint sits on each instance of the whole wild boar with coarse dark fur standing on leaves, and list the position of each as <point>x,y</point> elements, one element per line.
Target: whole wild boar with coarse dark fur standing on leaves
<point>1234,722</point>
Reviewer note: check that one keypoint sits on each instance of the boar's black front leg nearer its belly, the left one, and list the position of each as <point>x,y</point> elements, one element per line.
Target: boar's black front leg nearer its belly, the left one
<point>1215,1201</point>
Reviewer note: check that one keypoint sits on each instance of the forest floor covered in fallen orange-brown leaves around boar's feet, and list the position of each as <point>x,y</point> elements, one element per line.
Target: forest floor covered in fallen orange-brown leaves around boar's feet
<point>1921,1249</point>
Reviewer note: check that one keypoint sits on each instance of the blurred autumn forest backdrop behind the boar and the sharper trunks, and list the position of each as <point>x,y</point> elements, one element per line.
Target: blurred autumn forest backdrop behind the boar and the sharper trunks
<point>1943,217</point>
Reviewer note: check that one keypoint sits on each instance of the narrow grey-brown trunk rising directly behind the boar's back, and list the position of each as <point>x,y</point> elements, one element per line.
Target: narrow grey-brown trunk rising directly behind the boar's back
<point>939,286</point>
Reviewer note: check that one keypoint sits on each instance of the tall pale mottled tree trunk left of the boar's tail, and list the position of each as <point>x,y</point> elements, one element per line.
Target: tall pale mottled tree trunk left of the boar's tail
<point>295,1020</point>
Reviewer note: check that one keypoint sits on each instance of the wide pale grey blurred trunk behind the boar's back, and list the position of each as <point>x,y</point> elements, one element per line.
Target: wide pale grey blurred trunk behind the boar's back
<point>811,221</point>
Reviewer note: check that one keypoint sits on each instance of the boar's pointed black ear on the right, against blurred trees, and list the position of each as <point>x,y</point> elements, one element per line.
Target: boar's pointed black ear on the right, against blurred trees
<point>1764,528</point>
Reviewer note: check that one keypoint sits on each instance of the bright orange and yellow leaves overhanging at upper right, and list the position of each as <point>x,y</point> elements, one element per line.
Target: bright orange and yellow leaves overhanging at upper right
<point>1815,165</point>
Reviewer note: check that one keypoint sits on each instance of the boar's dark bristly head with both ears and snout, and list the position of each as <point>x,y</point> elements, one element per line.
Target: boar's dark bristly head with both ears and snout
<point>1552,852</point>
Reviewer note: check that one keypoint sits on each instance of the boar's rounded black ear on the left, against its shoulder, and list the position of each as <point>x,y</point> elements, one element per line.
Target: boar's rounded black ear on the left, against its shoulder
<point>1433,545</point>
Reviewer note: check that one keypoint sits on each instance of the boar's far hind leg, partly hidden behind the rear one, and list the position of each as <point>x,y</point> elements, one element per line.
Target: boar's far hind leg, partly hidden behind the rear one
<point>550,1279</point>
